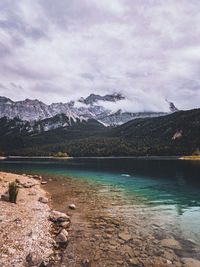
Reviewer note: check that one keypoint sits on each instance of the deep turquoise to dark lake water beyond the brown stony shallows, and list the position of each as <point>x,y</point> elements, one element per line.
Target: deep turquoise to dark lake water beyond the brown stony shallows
<point>170,188</point>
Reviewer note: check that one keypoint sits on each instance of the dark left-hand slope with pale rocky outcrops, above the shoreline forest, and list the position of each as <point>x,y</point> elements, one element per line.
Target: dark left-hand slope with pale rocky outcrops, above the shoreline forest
<point>15,133</point>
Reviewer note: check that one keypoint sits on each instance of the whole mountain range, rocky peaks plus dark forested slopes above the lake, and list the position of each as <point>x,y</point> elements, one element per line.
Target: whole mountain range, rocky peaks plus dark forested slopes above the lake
<point>33,128</point>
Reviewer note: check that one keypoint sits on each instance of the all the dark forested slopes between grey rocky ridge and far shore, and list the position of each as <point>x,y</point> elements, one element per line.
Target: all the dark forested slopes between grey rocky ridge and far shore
<point>174,134</point>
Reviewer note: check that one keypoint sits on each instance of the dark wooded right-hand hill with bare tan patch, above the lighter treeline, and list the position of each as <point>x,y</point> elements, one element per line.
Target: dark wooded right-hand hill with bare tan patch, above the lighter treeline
<point>186,123</point>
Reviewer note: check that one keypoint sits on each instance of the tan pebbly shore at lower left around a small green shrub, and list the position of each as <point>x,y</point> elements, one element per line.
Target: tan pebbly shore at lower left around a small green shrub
<point>25,229</point>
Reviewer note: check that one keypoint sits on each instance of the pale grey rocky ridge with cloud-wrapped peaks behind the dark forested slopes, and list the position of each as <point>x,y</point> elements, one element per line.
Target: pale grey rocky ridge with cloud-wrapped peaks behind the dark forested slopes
<point>35,110</point>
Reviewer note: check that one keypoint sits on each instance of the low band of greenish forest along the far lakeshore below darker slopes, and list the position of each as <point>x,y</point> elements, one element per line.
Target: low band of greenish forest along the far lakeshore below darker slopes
<point>101,147</point>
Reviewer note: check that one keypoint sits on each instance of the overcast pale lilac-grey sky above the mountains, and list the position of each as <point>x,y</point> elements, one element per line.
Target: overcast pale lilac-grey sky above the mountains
<point>55,51</point>
